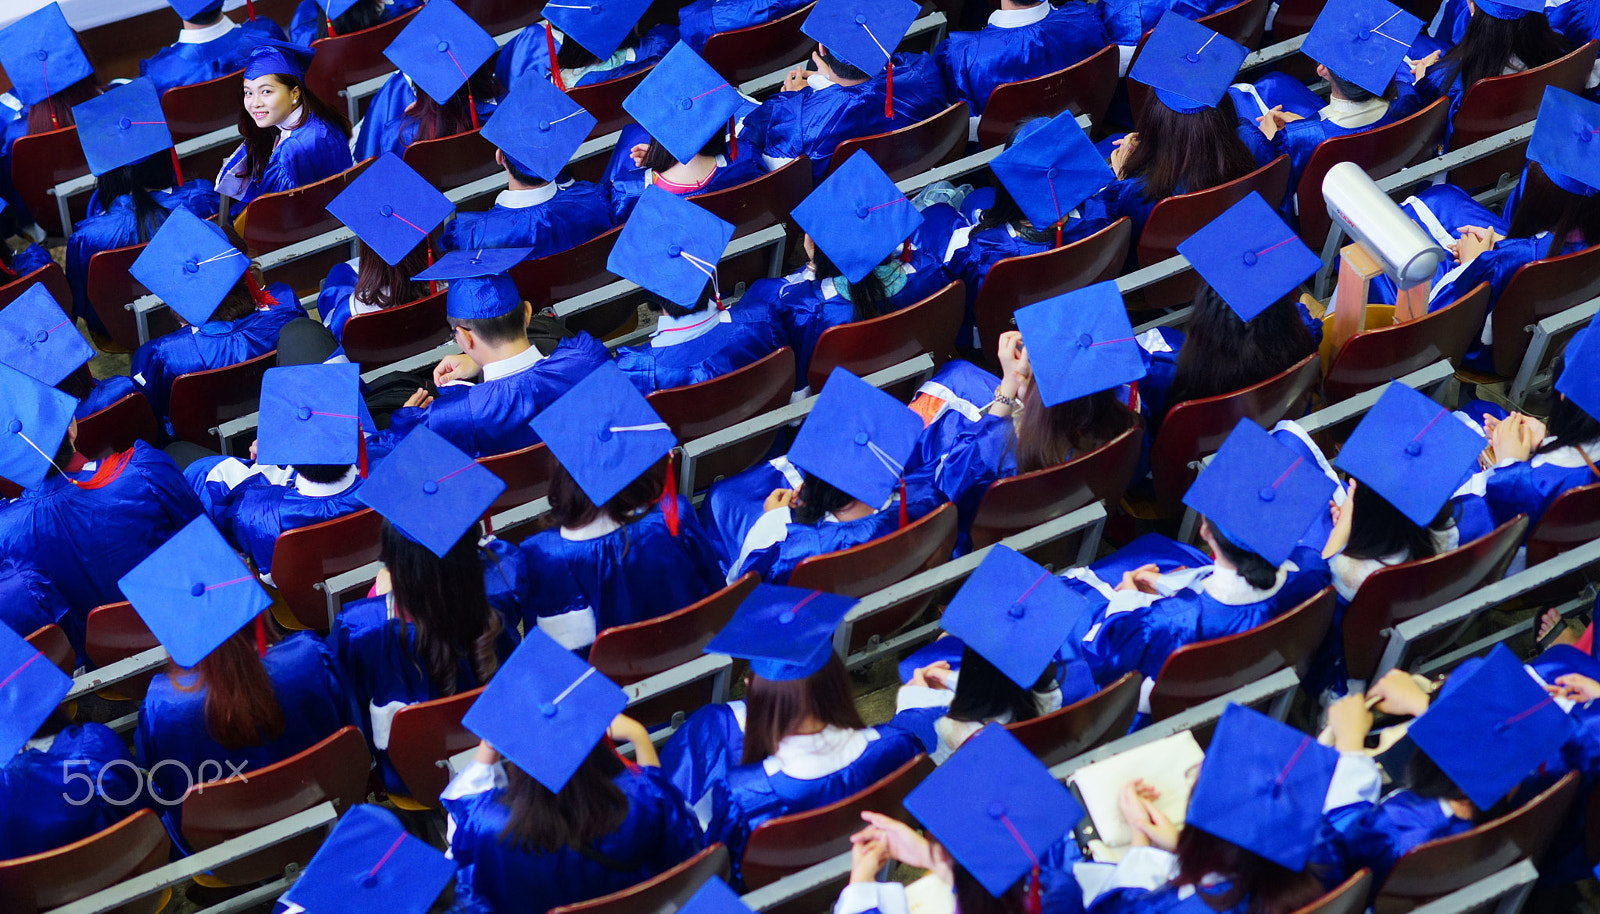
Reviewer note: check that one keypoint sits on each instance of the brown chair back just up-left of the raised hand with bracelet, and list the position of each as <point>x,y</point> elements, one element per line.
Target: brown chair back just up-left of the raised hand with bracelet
<point>866,347</point>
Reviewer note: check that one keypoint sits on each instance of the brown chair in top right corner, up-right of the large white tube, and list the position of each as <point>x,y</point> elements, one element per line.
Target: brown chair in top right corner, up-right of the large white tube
<point>1502,103</point>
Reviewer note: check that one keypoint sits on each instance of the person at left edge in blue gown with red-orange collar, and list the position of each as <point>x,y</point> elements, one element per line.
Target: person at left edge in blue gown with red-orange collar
<point>82,526</point>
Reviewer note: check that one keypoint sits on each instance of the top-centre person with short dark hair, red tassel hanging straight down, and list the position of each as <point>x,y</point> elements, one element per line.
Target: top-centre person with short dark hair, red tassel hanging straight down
<point>850,94</point>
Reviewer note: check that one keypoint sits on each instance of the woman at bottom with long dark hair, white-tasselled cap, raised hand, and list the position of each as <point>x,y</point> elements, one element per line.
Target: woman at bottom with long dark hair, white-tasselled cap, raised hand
<point>548,814</point>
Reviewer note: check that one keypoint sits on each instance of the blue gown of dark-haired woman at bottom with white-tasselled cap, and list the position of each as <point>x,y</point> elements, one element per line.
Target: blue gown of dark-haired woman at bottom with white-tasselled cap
<point>497,878</point>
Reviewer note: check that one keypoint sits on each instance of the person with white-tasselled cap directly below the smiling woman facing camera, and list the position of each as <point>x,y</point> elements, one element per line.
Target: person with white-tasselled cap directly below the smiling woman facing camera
<point>230,319</point>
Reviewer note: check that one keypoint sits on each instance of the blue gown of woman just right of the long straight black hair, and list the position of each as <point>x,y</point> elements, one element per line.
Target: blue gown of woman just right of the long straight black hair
<point>633,574</point>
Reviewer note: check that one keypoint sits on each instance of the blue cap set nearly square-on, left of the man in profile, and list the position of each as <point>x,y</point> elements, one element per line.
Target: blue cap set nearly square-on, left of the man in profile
<point>311,415</point>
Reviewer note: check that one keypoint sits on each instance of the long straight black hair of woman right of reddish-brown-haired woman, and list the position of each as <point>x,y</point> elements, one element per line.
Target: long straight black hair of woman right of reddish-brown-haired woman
<point>444,598</point>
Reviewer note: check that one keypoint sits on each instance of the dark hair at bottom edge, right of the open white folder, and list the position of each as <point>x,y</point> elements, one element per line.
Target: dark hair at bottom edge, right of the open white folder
<point>1265,886</point>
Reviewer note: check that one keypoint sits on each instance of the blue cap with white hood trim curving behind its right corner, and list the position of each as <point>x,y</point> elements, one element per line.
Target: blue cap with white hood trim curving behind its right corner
<point>1260,494</point>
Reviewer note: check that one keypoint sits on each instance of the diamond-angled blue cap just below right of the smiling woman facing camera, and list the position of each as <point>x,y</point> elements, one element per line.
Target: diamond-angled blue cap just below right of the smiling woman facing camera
<point>391,207</point>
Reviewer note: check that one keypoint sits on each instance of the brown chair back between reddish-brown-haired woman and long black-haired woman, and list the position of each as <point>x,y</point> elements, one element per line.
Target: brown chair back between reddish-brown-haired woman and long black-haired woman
<point>308,556</point>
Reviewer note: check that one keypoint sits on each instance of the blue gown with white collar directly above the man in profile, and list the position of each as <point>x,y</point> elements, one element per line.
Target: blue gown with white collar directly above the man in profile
<point>577,214</point>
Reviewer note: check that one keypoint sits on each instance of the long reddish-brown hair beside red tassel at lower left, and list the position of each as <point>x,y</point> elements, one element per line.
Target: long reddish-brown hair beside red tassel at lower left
<point>241,708</point>
